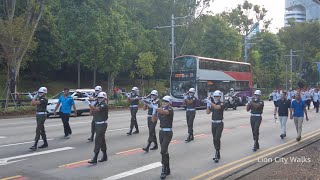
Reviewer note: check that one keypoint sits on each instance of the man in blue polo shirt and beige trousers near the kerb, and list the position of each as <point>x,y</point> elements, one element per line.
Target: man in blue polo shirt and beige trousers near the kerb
<point>298,107</point>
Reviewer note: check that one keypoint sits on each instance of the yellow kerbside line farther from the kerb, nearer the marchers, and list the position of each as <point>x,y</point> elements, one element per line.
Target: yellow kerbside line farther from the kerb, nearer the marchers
<point>248,157</point>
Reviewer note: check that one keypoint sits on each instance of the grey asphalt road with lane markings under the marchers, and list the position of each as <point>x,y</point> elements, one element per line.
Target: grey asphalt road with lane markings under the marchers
<point>67,158</point>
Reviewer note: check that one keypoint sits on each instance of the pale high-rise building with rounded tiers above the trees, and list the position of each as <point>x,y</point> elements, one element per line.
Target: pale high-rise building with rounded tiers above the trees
<point>302,10</point>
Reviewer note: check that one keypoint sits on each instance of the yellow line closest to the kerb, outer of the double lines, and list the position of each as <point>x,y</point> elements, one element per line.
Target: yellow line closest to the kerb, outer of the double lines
<point>255,159</point>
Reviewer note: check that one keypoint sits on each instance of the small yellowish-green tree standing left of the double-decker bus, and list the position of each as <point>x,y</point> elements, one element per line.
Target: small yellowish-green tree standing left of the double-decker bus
<point>144,66</point>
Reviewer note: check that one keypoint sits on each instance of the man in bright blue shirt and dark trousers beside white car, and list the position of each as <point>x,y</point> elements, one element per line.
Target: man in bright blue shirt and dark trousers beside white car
<point>66,102</point>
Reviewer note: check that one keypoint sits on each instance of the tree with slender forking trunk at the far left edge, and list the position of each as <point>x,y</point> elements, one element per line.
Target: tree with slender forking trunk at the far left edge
<point>18,23</point>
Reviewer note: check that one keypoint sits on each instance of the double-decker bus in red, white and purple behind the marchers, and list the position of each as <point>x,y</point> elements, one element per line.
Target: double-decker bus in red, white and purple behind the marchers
<point>207,75</point>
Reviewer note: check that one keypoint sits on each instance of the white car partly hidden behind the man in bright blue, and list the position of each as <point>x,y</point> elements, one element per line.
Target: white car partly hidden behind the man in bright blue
<point>79,95</point>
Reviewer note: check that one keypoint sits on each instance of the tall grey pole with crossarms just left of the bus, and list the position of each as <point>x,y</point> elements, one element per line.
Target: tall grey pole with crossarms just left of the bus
<point>172,43</point>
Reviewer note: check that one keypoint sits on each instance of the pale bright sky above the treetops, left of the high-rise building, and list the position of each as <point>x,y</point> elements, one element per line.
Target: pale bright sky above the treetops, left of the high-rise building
<point>276,9</point>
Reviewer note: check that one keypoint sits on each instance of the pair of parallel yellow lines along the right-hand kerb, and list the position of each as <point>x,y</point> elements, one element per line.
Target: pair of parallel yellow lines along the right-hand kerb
<point>253,157</point>
